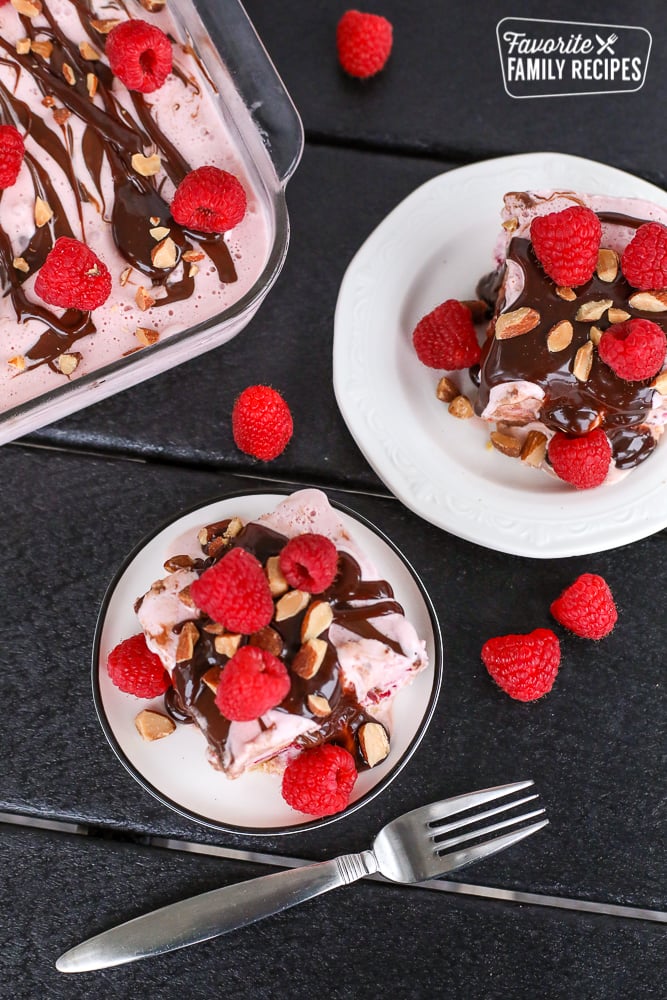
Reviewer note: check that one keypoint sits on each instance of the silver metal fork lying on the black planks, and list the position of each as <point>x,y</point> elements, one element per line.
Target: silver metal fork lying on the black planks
<point>412,848</point>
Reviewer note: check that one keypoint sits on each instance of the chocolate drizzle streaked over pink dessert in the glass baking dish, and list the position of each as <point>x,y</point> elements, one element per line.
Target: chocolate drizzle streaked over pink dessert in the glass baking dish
<point>113,135</point>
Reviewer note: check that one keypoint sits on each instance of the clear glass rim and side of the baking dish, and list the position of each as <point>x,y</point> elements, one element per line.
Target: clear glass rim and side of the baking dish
<point>267,134</point>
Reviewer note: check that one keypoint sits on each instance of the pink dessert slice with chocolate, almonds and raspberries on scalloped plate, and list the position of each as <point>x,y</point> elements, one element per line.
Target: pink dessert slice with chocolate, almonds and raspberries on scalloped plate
<point>575,352</point>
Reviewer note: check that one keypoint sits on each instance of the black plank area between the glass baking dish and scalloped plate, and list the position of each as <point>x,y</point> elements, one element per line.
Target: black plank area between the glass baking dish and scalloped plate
<point>335,202</point>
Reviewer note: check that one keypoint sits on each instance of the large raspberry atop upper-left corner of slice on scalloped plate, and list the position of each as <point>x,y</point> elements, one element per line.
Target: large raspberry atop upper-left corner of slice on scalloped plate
<point>566,244</point>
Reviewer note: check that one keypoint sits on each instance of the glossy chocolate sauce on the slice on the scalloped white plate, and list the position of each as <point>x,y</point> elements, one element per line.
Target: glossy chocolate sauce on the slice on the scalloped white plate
<point>569,405</point>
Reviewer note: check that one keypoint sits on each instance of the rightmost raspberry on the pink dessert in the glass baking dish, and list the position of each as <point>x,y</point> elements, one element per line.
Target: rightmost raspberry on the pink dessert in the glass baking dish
<point>209,200</point>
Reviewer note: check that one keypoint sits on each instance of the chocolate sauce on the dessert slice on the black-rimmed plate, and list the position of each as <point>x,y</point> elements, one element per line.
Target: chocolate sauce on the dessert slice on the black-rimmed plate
<point>191,696</point>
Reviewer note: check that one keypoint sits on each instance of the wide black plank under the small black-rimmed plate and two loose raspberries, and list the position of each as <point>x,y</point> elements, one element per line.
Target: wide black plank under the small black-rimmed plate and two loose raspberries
<point>595,746</point>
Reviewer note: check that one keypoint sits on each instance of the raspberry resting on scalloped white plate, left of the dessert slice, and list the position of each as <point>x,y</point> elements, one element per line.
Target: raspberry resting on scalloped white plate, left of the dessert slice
<point>446,338</point>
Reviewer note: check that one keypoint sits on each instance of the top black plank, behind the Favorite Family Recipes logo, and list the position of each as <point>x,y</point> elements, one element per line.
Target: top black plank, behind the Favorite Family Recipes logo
<point>442,91</point>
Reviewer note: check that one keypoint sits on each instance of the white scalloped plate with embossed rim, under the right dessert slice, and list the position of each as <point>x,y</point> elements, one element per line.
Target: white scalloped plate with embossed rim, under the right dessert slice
<point>436,245</point>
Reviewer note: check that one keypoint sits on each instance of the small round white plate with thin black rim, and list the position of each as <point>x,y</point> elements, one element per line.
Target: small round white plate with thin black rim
<point>175,769</point>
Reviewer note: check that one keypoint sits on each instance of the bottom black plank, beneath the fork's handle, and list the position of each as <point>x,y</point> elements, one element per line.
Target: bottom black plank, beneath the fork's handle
<point>357,942</point>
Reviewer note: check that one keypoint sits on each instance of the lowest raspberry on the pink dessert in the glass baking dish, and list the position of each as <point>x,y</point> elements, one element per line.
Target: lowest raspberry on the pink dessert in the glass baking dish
<point>73,277</point>
